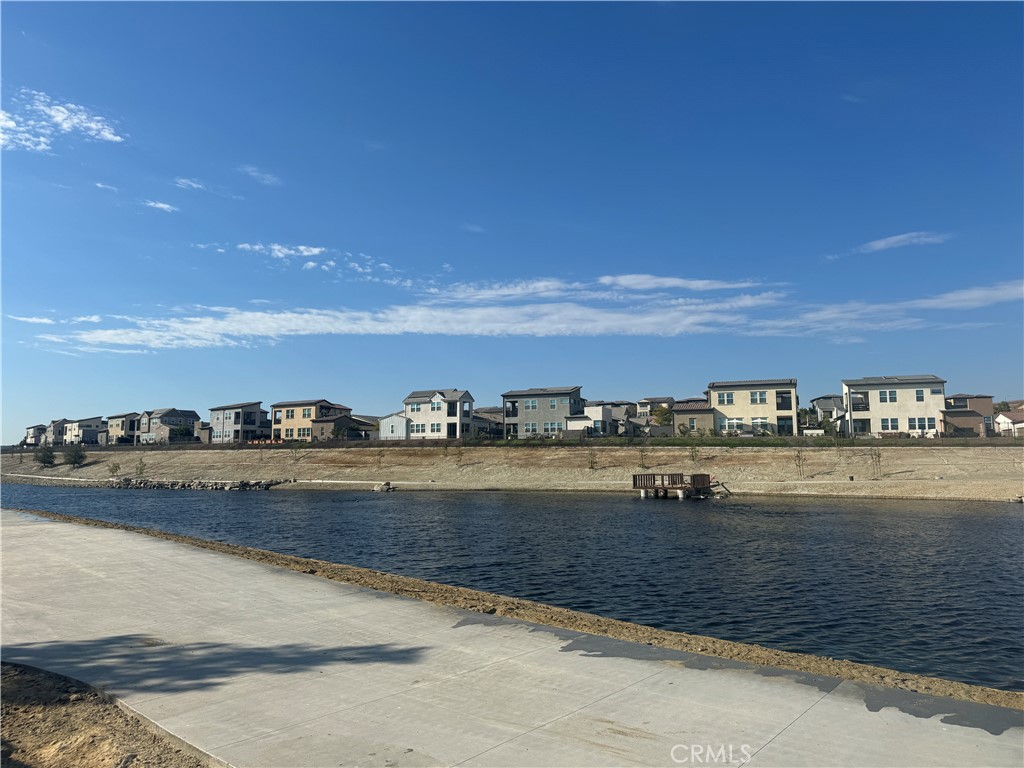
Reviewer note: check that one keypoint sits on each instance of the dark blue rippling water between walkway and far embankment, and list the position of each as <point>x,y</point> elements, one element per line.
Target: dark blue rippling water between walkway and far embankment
<point>935,588</point>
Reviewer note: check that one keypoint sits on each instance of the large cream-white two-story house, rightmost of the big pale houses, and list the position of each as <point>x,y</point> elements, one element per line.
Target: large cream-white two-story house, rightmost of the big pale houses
<point>879,405</point>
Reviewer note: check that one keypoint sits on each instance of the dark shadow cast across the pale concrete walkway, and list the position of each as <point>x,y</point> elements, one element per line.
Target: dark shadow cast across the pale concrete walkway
<point>143,664</point>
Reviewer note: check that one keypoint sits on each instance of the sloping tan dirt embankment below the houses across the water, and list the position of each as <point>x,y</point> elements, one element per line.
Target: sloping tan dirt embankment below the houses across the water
<point>995,474</point>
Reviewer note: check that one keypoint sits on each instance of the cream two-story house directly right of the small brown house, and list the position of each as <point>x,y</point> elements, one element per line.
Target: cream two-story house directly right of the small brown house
<point>755,407</point>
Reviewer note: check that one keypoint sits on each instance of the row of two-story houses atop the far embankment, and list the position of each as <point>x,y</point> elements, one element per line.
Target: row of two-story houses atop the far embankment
<point>915,406</point>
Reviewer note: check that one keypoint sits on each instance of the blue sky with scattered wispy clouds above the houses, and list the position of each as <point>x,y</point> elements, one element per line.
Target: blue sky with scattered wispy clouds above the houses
<point>208,203</point>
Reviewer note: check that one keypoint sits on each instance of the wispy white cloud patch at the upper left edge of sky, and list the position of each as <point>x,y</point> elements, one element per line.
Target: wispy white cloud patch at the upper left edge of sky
<point>37,120</point>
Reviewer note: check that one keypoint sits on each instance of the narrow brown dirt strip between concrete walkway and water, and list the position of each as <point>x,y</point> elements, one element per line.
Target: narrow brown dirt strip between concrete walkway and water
<point>490,604</point>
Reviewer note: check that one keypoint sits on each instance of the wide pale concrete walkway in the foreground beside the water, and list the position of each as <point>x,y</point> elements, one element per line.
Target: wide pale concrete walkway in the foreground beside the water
<point>265,667</point>
